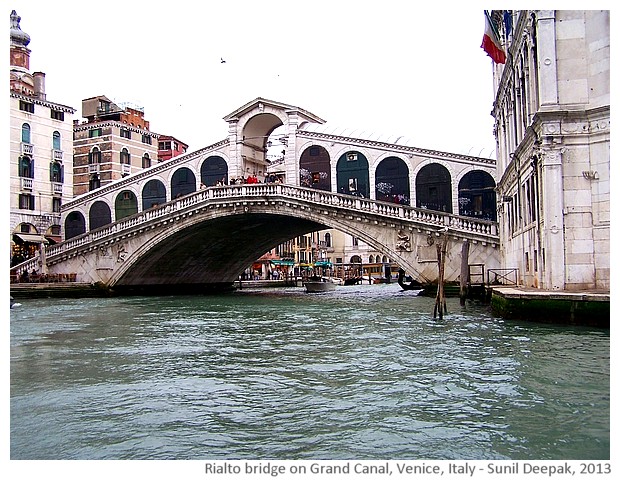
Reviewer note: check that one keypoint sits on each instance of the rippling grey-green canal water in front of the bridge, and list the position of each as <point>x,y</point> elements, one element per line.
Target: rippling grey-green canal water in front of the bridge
<point>363,372</point>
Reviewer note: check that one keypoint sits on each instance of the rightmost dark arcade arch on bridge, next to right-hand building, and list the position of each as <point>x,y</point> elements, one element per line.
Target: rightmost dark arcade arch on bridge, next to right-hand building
<point>477,197</point>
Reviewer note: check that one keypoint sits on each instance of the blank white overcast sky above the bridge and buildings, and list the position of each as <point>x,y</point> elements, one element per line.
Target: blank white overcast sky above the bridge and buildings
<point>388,67</point>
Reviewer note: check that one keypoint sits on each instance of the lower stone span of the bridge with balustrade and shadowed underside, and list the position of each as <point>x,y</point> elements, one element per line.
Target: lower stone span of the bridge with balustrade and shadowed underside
<point>210,236</point>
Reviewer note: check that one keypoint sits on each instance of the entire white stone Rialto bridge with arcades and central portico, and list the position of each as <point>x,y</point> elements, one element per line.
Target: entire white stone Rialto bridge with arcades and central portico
<point>187,222</point>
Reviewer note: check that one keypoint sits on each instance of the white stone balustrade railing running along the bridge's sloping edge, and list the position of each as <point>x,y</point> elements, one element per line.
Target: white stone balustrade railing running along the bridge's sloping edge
<point>320,197</point>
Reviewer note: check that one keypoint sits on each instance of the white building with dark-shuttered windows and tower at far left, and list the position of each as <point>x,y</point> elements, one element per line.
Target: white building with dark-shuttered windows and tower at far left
<point>41,144</point>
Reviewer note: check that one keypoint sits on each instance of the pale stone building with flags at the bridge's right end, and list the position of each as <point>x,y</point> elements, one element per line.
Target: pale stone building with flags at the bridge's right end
<point>552,125</point>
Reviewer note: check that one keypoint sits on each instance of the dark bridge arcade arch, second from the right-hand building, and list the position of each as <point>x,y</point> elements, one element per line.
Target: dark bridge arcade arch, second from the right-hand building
<point>434,188</point>
